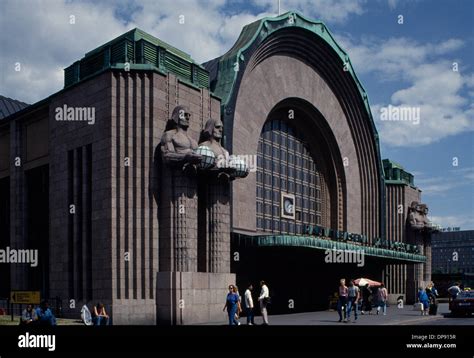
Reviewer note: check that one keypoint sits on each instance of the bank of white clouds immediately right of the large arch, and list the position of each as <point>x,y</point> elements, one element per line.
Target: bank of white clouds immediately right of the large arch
<point>429,83</point>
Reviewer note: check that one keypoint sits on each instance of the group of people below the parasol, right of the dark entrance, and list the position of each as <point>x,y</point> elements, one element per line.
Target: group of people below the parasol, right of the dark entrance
<point>349,298</point>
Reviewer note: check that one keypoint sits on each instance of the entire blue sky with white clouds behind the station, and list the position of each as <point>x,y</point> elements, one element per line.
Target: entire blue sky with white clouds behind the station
<point>412,54</point>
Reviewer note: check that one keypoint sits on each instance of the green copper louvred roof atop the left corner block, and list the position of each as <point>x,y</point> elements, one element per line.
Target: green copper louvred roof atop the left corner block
<point>142,52</point>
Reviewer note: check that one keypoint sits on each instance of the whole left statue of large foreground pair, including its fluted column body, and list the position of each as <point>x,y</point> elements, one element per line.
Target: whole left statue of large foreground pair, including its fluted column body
<point>177,185</point>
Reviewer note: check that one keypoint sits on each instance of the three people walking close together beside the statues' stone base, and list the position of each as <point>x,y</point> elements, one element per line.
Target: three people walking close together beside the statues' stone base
<point>233,304</point>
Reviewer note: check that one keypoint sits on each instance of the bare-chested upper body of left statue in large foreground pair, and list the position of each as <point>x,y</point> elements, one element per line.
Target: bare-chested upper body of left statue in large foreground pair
<point>177,147</point>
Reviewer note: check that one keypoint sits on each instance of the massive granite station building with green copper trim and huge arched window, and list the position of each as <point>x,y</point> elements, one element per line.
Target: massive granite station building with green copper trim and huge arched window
<point>79,180</point>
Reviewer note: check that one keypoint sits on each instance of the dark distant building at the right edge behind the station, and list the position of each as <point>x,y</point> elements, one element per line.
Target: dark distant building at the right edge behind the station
<point>453,252</point>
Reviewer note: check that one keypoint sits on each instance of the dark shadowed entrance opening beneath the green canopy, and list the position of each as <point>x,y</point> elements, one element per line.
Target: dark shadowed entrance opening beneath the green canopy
<point>299,279</point>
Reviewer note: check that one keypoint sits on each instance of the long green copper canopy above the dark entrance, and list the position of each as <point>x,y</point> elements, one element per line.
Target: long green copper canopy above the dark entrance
<point>322,244</point>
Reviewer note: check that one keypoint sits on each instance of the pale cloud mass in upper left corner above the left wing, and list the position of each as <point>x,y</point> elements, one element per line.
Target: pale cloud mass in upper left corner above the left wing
<point>39,36</point>
